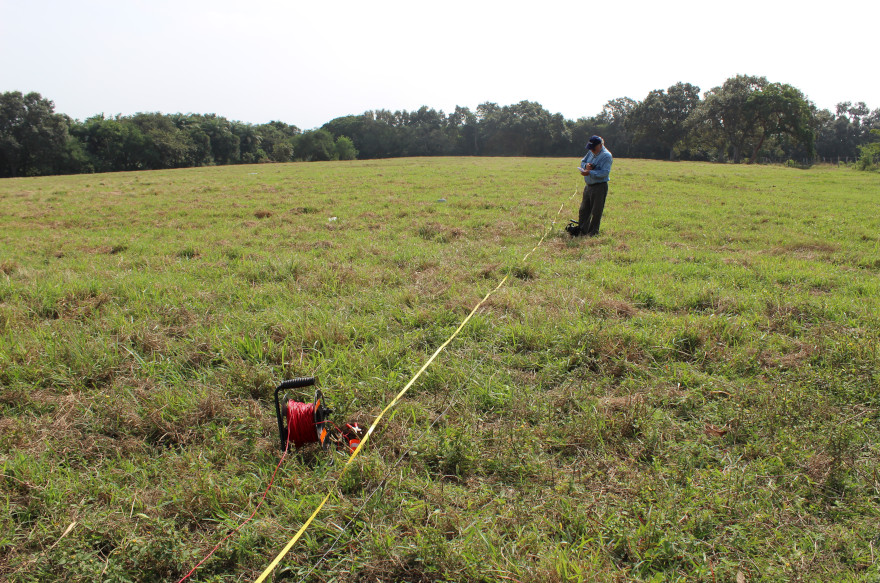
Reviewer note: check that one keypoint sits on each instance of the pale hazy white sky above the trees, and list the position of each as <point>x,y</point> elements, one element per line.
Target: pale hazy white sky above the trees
<point>306,63</point>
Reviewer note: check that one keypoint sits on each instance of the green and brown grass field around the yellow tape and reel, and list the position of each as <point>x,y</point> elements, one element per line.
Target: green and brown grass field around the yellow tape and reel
<point>694,395</point>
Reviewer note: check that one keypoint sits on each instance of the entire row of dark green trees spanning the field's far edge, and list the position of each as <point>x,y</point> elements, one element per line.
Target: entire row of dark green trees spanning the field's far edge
<point>746,119</point>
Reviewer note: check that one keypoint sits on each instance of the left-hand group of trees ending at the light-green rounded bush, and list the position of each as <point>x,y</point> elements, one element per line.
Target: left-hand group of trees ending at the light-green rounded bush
<point>35,141</point>
